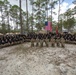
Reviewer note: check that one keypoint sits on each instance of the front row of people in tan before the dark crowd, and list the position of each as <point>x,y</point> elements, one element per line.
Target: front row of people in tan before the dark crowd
<point>40,42</point>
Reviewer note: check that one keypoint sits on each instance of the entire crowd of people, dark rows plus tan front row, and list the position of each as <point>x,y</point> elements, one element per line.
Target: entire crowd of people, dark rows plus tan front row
<point>37,39</point>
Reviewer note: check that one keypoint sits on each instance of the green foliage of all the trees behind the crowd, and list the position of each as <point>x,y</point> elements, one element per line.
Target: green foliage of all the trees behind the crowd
<point>36,19</point>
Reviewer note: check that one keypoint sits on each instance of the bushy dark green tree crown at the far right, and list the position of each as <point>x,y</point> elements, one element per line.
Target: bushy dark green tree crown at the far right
<point>67,20</point>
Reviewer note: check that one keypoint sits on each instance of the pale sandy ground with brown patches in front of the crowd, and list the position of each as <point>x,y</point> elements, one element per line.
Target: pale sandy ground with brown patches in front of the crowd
<point>25,60</point>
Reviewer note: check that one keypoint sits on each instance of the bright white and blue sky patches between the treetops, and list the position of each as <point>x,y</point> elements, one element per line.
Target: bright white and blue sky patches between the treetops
<point>65,5</point>
